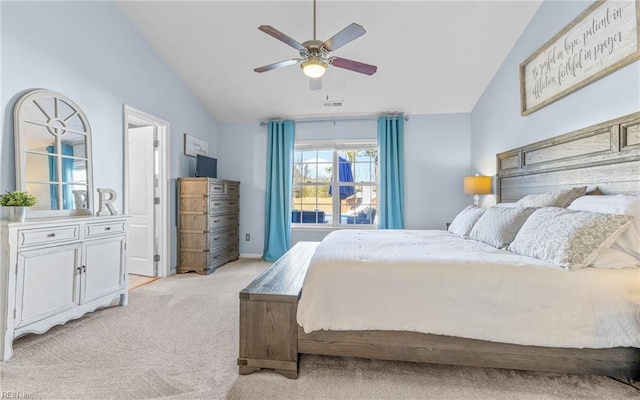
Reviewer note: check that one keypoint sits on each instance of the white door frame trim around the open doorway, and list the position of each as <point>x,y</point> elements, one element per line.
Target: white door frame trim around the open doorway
<point>162,217</point>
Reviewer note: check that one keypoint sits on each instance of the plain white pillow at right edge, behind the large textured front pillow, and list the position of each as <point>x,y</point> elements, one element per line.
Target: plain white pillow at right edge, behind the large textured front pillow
<point>629,240</point>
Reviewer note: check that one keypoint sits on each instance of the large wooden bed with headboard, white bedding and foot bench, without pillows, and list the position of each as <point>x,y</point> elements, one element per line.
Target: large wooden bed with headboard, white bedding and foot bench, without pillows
<point>276,324</point>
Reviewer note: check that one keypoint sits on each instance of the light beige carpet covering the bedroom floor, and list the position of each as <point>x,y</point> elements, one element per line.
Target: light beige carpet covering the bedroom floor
<point>178,339</point>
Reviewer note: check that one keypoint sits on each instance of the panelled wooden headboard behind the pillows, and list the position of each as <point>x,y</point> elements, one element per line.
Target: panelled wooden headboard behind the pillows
<point>604,156</point>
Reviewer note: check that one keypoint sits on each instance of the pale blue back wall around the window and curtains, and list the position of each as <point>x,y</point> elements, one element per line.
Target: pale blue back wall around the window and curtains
<point>436,160</point>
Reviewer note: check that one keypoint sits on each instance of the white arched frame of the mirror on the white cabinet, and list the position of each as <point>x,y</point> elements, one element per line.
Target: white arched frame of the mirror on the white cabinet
<point>20,148</point>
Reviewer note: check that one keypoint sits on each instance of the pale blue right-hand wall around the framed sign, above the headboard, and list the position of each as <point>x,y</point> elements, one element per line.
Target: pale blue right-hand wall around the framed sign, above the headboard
<point>496,123</point>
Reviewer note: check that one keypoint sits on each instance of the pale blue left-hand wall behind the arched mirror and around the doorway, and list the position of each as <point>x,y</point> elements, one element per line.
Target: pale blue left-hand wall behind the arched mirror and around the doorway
<point>90,52</point>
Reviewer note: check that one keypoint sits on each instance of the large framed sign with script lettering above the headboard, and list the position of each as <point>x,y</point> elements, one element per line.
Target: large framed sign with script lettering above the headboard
<point>601,40</point>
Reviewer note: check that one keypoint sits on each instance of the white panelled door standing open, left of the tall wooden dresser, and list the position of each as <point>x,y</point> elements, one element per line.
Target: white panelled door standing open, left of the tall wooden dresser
<point>141,193</point>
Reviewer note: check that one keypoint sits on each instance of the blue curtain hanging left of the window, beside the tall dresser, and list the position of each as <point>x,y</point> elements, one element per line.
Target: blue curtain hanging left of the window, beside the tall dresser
<point>280,150</point>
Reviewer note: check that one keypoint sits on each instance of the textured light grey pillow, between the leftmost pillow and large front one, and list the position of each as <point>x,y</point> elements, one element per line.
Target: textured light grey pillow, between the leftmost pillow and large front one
<point>498,226</point>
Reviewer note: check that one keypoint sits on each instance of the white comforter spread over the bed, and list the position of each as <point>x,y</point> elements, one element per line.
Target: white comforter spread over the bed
<point>436,282</point>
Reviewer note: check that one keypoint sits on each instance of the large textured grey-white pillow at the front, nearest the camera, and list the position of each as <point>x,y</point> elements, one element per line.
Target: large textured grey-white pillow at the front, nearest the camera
<point>567,238</point>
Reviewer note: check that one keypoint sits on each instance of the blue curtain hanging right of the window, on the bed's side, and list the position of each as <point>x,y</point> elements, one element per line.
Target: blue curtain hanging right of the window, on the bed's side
<point>391,193</point>
